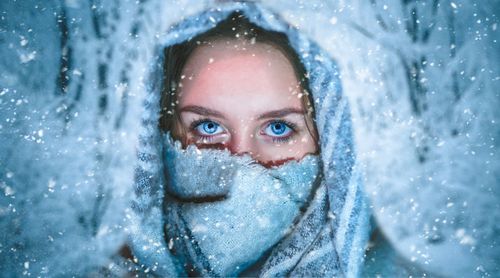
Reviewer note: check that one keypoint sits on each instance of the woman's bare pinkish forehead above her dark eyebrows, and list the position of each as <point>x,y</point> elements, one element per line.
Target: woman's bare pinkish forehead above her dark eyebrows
<point>233,71</point>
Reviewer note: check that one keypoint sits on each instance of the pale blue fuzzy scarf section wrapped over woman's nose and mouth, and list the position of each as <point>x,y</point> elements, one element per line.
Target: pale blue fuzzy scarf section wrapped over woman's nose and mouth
<point>224,212</point>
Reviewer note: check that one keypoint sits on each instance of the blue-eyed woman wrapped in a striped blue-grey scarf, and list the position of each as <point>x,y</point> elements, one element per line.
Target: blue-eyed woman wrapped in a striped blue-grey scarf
<point>245,191</point>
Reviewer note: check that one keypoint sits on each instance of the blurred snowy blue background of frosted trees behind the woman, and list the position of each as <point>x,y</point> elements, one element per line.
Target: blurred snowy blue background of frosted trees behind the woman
<point>422,78</point>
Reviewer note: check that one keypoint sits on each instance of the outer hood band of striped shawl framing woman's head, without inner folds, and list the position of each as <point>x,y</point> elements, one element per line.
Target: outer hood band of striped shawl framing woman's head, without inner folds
<point>348,210</point>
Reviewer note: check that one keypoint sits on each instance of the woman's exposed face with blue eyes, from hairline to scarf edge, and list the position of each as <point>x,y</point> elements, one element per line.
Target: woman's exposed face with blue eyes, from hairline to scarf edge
<point>244,97</point>
